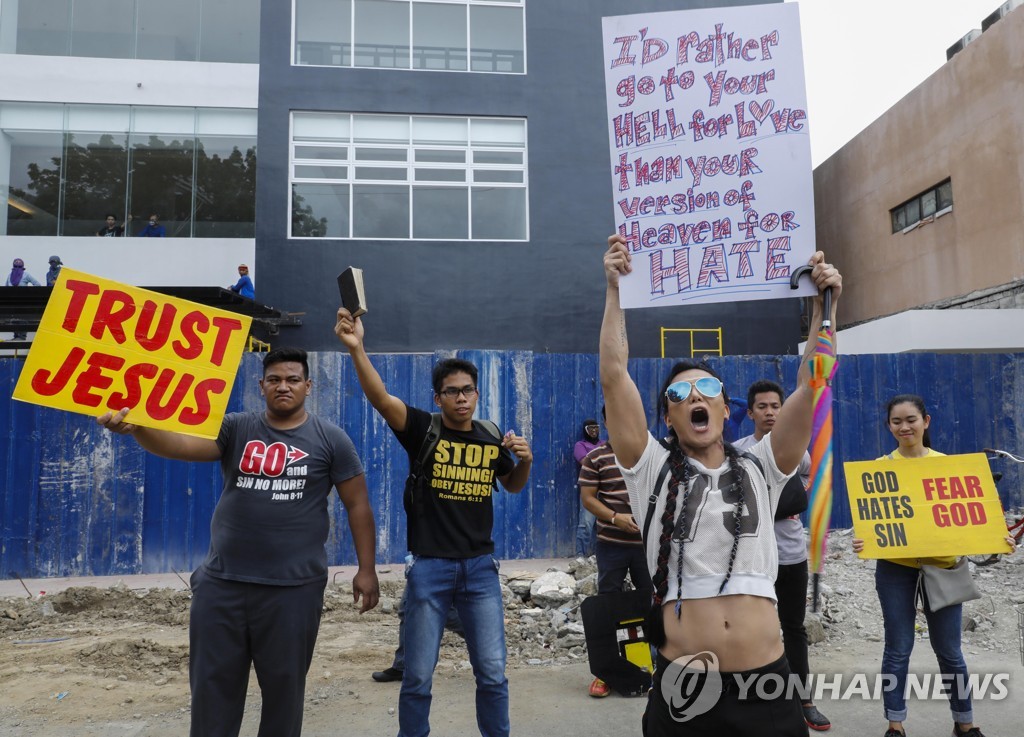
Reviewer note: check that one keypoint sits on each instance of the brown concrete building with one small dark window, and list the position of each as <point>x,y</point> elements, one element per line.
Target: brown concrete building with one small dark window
<point>925,208</point>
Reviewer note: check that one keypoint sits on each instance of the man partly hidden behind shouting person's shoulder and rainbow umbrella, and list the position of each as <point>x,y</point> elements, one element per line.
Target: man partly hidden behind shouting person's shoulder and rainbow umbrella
<point>764,400</point>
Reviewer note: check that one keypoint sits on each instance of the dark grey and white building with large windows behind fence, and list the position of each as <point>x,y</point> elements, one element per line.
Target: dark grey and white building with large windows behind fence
<point>497,250</point>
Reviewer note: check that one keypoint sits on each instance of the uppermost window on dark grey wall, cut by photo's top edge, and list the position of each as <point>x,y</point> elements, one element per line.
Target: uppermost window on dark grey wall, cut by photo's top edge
<point>433,35</point>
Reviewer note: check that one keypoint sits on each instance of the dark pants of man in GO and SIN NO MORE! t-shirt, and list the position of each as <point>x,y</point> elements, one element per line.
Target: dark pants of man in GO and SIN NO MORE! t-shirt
<point>234,626</point>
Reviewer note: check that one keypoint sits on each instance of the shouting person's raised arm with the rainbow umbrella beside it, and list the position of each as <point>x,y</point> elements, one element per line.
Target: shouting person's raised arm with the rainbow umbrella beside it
<point>792,432</point>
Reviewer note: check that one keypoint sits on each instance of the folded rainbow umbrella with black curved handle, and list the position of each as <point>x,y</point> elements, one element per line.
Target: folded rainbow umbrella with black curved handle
<point>823,370</point>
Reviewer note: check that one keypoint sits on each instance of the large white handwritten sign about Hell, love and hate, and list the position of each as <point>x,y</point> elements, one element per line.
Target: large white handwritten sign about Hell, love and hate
<point>711,164</point>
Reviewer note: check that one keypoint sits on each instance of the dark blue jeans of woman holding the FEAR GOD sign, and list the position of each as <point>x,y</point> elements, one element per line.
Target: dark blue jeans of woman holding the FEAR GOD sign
<point>898,586</point>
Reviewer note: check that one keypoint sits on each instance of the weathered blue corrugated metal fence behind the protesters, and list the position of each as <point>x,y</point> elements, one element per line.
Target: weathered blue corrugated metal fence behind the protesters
<point>77,501</point>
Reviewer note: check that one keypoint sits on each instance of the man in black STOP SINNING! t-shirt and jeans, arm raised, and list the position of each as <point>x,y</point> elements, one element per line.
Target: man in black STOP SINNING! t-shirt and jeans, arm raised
<point>451,516</point>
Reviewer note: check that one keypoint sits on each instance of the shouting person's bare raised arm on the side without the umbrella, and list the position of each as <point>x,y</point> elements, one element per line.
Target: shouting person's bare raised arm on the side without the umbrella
<point>626,420</point>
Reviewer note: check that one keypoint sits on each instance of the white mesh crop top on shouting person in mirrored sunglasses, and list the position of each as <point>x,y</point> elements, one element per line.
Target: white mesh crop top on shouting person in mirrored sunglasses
<point>710,524</point>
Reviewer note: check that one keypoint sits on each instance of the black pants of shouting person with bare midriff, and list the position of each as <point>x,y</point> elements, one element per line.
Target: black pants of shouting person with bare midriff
<point>732,716</point>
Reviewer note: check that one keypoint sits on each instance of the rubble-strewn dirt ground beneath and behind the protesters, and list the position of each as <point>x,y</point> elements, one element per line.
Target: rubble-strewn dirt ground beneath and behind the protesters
<point>114,661</point>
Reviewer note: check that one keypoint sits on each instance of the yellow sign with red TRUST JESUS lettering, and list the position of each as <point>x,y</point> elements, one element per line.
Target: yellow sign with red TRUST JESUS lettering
<point>104,346</point>
